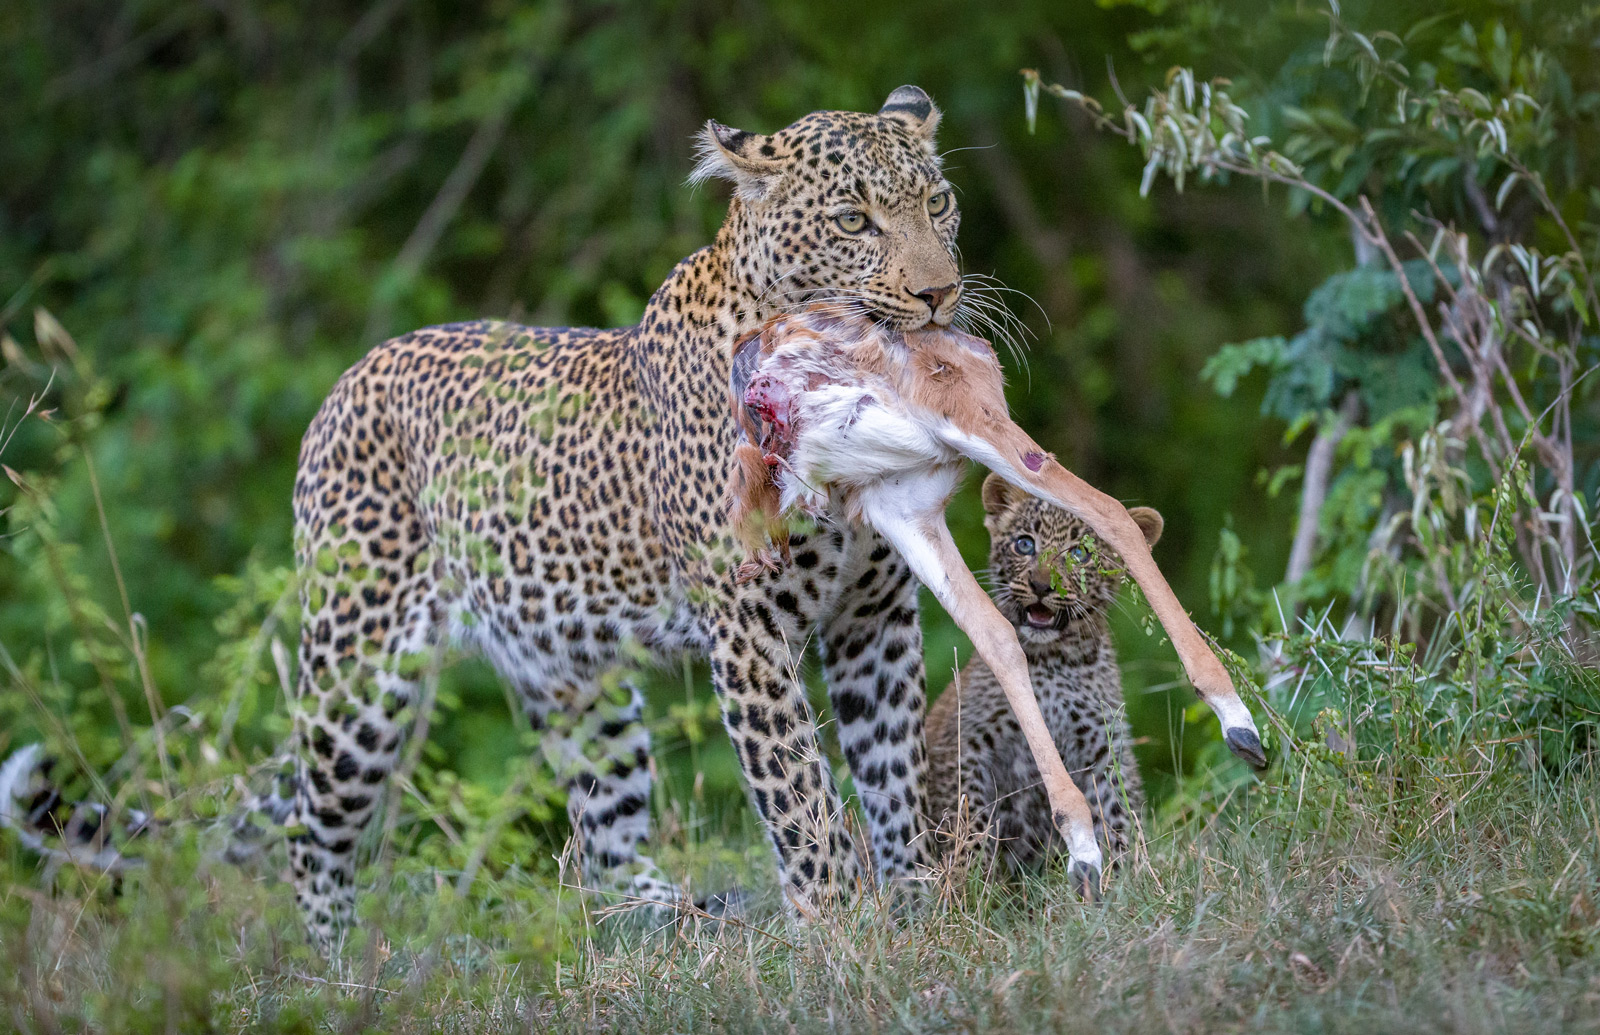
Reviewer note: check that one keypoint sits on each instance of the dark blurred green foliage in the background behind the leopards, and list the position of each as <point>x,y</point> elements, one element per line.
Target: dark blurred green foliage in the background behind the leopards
<point>226,204</point>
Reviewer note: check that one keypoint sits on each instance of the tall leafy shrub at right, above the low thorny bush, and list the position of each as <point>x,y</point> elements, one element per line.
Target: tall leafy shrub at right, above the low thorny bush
<point>1487,326</point>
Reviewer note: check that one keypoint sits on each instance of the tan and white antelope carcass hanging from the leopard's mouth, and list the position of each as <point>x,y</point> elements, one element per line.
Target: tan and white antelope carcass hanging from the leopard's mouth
<point>841,414</point>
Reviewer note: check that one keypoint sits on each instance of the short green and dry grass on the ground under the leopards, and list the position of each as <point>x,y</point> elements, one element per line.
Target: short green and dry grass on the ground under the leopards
<point>1329,898</point>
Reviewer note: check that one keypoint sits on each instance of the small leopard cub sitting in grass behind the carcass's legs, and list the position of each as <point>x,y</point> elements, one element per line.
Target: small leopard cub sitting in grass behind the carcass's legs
<point>1055,583</point>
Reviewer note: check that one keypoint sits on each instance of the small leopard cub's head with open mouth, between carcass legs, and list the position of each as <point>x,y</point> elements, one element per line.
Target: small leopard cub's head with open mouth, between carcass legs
<point>1047,569</point>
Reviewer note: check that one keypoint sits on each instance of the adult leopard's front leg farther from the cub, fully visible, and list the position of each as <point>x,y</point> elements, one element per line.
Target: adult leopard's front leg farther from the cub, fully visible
<point>754,666</point>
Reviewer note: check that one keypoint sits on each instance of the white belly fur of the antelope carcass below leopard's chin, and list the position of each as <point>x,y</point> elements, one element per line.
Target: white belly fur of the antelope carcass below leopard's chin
<point>849,438</point>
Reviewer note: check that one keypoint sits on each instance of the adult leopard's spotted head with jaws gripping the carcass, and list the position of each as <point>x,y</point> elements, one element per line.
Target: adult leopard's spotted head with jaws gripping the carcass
<point>842,209</point>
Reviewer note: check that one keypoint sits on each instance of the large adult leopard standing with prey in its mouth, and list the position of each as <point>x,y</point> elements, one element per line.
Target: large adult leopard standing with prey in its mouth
<point>554,500</point>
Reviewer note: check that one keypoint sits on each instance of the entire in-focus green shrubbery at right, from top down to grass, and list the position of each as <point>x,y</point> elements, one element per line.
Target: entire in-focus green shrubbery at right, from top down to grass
<point>1439,500</point>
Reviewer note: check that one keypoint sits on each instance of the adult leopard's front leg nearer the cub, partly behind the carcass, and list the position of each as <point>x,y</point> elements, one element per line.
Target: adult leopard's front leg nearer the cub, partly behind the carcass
<point>873,660</point>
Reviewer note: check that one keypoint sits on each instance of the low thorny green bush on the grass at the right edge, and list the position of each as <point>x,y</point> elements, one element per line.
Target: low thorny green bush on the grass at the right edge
<point>1495,685</point>
